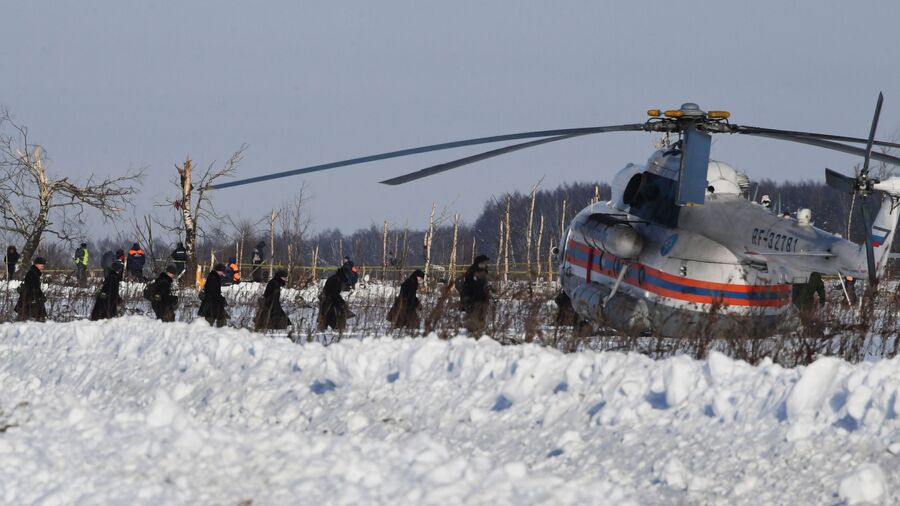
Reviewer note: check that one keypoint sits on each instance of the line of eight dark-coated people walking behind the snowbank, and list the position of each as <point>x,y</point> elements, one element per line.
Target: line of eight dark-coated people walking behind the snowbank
<point>474,290</point>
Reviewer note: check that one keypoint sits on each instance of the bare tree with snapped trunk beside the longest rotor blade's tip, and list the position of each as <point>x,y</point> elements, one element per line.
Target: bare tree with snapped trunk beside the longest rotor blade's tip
<point>194,205</point>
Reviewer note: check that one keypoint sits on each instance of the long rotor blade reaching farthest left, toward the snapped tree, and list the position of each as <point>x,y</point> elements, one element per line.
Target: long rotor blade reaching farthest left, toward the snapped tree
<point>633,127</point>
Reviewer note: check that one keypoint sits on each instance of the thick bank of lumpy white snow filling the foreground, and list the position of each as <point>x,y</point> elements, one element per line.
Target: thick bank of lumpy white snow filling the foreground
<point>133,411</point>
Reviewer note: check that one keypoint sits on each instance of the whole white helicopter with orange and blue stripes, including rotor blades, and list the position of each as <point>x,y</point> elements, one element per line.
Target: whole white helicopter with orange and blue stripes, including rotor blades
<point>681,239</point>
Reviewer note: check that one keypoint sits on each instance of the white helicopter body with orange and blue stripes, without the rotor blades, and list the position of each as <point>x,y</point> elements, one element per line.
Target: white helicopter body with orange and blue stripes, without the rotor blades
<point>638,263</point>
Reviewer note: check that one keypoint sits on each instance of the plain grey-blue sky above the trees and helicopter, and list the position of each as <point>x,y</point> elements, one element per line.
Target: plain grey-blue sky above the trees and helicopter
<point>110,85</point>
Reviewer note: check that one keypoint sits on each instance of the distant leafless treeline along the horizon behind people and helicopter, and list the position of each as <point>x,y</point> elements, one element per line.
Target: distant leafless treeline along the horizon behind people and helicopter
<point>403,248</point>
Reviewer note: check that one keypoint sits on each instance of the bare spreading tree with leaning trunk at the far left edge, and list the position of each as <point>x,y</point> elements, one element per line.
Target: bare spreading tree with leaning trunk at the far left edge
<point>33,203</point>
